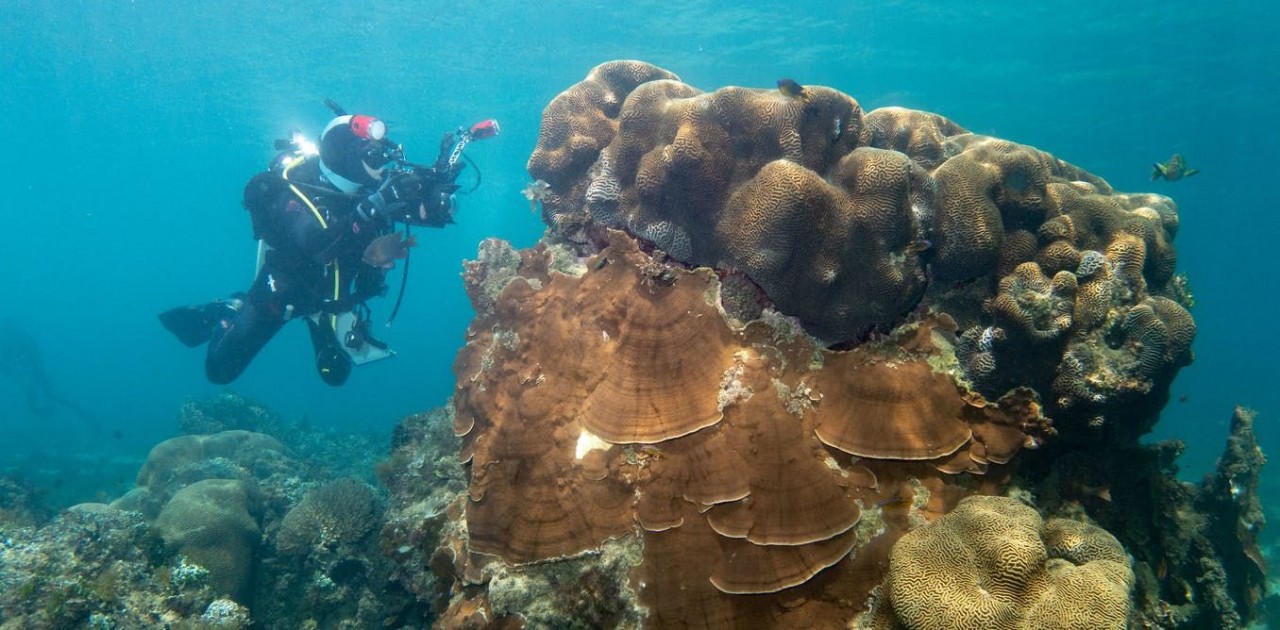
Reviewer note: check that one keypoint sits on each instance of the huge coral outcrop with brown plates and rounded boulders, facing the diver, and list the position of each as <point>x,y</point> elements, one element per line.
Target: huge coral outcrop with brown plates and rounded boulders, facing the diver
<point>767,336</point>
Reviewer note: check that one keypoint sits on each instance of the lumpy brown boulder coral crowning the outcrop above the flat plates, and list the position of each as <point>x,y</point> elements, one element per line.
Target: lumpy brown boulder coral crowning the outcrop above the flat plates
<point>851,221</point>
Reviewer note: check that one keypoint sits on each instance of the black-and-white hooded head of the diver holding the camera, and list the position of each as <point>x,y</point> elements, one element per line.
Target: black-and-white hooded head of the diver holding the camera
<point>350,148</point>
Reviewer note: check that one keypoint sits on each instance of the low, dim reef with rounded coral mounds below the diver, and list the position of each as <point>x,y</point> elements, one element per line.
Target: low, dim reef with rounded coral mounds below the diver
<point>222,531</point>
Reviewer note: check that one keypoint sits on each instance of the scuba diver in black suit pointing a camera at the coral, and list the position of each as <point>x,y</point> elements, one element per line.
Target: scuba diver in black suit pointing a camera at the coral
<point>326,221</point>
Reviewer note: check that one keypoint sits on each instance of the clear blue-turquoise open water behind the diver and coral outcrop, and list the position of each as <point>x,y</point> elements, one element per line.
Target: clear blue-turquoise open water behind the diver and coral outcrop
<point>131,129</point>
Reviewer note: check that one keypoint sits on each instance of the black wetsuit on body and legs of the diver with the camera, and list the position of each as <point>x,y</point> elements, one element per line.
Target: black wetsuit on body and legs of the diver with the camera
<point>309,270</point>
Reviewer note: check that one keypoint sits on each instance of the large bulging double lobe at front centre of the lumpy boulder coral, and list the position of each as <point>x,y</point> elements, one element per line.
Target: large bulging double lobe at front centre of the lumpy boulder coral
<point>835,253</point>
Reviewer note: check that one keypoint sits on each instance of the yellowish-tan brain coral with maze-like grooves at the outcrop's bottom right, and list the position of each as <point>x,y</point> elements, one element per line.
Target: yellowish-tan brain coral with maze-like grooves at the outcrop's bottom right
<point>993,564</point>
